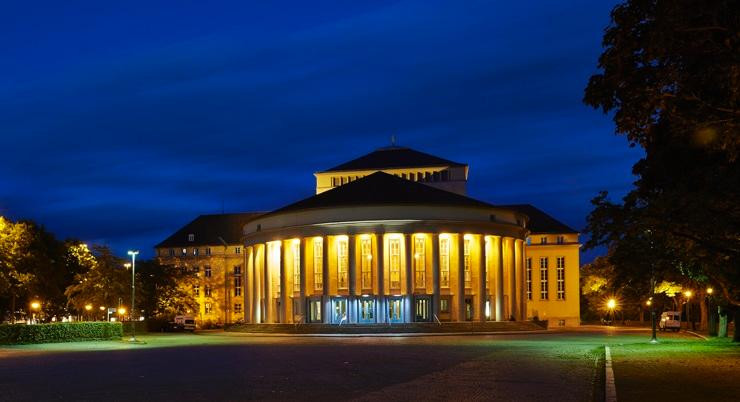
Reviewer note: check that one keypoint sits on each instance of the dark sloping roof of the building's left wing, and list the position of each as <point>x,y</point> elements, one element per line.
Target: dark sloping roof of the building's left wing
<point>208,228</point>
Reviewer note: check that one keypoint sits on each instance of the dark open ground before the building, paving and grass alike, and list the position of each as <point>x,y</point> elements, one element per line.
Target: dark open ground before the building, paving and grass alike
<point>563,366</point>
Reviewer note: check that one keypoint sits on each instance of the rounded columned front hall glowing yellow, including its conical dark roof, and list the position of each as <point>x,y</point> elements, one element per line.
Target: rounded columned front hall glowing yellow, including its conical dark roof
<point>445,258</point>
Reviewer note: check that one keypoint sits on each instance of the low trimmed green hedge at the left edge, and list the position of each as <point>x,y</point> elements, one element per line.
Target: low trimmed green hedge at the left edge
<point>59,332</point>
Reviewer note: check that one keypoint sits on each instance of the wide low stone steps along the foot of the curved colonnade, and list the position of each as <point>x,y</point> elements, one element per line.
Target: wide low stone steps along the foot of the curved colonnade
<point>406,328</point>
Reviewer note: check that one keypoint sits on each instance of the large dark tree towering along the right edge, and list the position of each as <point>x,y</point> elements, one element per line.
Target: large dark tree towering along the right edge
<point>670,75</point>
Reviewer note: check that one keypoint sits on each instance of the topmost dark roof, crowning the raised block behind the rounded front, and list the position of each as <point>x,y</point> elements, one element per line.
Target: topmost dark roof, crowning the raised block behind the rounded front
<point>393,157</point>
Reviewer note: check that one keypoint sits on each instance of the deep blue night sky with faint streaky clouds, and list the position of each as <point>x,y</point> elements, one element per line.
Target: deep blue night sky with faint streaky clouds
<point>119,123</point>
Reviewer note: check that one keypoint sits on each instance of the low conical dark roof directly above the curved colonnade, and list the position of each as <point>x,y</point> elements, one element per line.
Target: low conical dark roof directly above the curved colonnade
<point>382,188</point>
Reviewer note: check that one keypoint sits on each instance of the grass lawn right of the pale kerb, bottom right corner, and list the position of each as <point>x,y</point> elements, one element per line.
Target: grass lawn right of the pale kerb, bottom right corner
<point>677,369</point>
